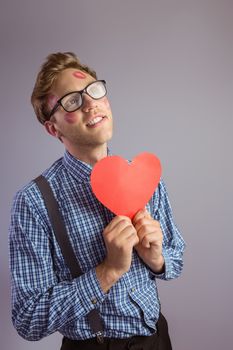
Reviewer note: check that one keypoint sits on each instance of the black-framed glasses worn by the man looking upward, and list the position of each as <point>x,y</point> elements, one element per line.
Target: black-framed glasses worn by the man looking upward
<point>72,101</point>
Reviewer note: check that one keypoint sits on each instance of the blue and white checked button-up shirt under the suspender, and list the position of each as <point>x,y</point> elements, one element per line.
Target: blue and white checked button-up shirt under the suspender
<point>45,298</point>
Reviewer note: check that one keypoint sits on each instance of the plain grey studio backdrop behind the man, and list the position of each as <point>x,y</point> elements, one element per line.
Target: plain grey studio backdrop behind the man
<point>168,65</point>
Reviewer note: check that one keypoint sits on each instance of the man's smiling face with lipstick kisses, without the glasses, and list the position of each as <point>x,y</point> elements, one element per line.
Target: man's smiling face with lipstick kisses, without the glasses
<point>90,125</point>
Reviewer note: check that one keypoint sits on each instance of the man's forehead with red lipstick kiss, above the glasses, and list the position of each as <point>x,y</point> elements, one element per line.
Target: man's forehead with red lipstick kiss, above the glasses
<point>71,80</point>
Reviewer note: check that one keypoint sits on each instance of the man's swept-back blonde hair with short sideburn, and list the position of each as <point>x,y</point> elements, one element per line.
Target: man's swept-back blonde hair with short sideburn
<point>55,63</point>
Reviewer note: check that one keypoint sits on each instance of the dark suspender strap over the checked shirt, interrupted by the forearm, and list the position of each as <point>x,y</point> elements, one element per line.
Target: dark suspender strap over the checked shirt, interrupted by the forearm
<point>60,232</point>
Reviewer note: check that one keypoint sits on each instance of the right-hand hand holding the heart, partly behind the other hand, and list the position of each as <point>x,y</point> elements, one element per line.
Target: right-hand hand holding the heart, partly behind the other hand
<point>150,237</point>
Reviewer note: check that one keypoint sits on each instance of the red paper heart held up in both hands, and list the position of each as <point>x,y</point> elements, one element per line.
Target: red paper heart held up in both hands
<point>125,187</point>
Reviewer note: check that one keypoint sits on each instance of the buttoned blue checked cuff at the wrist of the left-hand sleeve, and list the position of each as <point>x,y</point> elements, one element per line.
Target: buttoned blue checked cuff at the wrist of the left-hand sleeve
<point>90,292</point>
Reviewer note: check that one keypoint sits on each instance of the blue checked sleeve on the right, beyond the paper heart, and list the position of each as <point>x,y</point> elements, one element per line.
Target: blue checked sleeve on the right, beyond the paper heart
<point>173,243</point>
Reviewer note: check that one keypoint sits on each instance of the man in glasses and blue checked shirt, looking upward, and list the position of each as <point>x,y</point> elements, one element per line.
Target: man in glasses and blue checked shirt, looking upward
<point>120,259</point>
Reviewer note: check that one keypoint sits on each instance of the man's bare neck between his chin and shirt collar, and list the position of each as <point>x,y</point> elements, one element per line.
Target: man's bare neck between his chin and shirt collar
<point>89,155</point>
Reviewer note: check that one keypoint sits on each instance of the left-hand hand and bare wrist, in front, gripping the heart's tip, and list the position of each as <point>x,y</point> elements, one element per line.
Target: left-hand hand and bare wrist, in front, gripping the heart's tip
<point>120,237</point>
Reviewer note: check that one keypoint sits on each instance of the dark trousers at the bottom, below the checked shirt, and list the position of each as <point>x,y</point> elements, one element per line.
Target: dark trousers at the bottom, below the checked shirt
<point>158,341</point>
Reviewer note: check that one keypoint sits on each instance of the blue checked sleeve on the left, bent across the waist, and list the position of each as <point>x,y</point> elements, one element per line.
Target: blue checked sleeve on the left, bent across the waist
<point>41,304</point>
